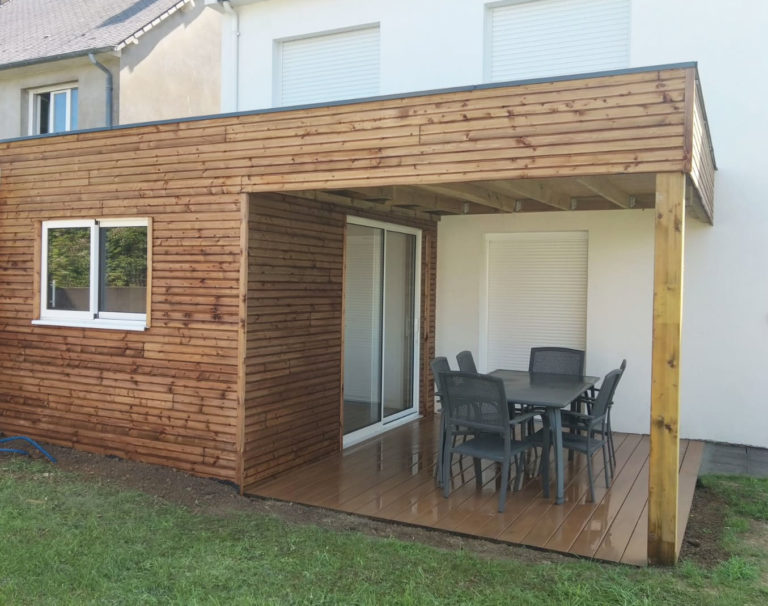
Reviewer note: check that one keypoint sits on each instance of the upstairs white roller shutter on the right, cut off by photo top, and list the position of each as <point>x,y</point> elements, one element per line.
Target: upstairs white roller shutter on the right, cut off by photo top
<point>541,38</point>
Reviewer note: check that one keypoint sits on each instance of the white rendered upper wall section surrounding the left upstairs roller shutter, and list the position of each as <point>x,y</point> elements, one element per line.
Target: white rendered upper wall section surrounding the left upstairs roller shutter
<point>425,44</point>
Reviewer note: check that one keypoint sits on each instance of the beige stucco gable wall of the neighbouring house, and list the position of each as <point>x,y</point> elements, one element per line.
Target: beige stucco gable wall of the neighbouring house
<point>175,69</point>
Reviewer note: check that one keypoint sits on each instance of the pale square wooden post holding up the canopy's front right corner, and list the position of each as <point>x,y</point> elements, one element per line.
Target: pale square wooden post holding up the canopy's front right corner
<point>665,370</point>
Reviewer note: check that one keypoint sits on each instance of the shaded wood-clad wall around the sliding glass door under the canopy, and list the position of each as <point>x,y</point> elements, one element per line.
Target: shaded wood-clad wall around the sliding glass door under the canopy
<point>293,361</point>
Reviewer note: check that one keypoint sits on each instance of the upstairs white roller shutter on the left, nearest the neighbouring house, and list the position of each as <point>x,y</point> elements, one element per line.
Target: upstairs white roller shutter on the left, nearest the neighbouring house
<point>326,67</point>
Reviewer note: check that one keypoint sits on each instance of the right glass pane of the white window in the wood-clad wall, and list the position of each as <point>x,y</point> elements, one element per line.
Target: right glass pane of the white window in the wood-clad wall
<point>123,271</point>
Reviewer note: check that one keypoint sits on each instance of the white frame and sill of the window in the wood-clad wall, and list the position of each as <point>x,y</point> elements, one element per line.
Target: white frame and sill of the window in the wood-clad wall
<point>93,318</point>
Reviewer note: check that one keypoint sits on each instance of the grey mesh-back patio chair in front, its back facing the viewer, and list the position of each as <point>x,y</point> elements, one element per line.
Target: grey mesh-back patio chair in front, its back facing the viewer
<point>478,403</point>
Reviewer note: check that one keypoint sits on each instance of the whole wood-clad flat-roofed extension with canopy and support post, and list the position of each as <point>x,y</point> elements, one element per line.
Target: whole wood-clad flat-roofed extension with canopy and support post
<point>247,216</point>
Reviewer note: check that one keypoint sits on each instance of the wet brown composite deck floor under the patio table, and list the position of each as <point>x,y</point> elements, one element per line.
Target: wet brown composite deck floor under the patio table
<point>391,478</point>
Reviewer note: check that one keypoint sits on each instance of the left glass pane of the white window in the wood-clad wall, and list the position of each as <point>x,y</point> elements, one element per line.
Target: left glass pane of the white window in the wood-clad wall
<point>69,262</point>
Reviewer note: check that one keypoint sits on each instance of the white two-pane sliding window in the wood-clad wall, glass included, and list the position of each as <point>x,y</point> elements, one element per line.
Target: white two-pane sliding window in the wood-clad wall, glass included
<point>94,273</point>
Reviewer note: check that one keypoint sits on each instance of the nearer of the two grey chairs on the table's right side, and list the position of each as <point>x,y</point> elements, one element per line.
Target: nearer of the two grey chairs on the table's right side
<point>588,432</point>
